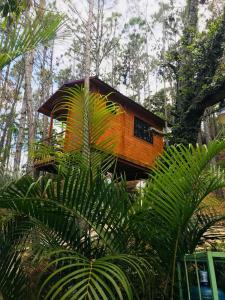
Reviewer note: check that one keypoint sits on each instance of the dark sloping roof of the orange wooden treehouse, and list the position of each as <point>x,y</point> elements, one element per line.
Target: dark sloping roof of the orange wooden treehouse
<point>105,89</point>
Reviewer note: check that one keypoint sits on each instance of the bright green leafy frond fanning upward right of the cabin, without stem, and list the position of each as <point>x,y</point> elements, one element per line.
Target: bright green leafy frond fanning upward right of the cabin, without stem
<point>181,180</point>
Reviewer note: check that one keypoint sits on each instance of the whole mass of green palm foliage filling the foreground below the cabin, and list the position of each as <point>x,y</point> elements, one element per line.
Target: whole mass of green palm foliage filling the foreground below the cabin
<point>96,240</point>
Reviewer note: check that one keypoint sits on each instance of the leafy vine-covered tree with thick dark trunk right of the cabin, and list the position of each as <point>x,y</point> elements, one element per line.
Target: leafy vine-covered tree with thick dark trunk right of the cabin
<point>196,63</point>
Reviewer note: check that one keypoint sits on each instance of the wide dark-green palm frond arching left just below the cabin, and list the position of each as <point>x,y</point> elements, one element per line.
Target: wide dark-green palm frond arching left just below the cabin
<point>62,203</point>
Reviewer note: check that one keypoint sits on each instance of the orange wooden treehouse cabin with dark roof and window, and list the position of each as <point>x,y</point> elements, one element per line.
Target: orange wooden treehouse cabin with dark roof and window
<point>139,132</point>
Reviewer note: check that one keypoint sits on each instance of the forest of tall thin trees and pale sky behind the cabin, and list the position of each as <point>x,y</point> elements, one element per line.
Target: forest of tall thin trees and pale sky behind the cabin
<point>151,57</point>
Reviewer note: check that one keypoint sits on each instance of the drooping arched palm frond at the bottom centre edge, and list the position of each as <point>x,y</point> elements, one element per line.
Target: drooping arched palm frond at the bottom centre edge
<point>76,277</point>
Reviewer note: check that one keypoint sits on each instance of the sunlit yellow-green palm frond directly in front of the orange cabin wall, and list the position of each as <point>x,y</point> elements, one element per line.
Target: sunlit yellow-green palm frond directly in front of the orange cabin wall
<point>89,122</point>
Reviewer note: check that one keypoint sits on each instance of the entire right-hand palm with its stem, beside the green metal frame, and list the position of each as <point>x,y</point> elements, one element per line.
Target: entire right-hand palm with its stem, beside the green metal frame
<point>172,209</point>
